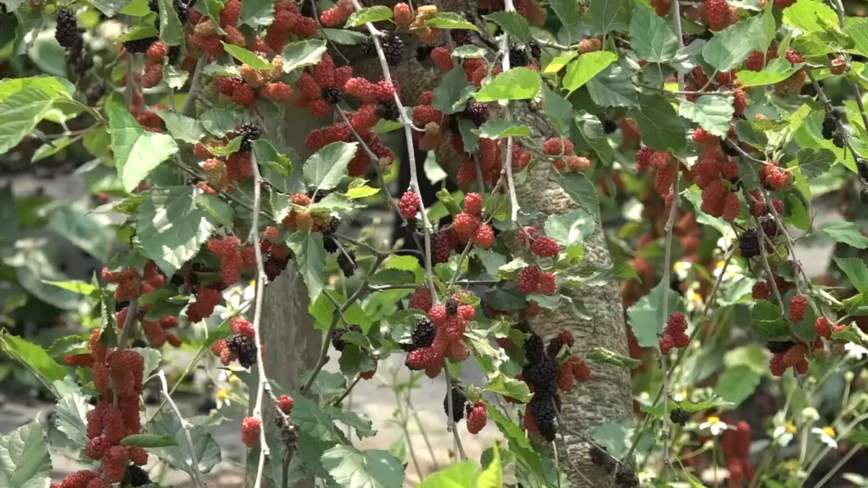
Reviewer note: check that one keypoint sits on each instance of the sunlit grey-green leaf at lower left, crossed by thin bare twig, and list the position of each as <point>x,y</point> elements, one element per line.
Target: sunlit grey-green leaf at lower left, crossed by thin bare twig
<point>178,456</point>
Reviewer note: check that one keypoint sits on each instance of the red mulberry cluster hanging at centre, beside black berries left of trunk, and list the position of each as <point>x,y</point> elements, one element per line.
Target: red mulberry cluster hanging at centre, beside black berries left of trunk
<point>450,323</point>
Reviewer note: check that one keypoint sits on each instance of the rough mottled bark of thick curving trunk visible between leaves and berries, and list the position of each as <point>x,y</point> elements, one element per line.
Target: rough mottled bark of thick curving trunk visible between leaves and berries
<point>606,397</point>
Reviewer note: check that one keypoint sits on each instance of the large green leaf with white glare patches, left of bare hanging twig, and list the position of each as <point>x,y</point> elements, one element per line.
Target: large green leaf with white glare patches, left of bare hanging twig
<point>171,228</point>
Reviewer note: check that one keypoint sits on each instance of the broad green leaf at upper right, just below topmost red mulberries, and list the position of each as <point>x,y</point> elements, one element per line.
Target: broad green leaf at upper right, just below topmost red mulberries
<point>729,48</point>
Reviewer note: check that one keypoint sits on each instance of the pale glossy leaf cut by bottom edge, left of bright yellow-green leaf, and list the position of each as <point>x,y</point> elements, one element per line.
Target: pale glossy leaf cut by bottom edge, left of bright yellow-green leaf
<point>363,469</point>
